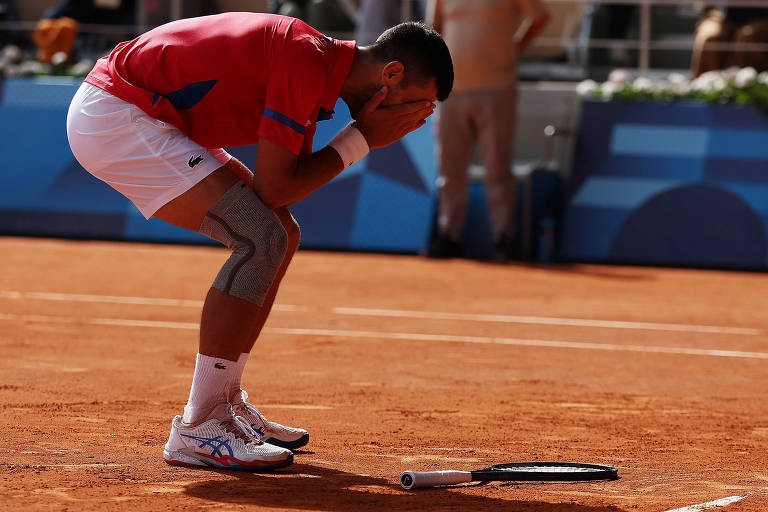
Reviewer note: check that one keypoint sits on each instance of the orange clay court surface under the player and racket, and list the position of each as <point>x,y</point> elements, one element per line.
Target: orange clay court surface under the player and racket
<point>391,363</point>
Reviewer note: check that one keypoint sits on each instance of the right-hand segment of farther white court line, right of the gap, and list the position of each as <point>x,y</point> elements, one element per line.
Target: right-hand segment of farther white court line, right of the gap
<point>545,320</point>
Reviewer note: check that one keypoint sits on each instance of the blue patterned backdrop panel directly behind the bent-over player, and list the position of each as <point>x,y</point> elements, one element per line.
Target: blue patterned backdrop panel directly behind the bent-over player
<point>384,202</point>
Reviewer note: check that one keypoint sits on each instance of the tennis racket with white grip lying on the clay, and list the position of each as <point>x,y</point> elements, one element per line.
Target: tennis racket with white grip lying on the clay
<point>516,471</point>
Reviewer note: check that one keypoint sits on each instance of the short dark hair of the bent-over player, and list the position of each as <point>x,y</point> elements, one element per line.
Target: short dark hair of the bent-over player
<point>421,50</point>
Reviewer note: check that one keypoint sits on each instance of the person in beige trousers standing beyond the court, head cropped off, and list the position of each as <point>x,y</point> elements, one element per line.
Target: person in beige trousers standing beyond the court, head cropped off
<point>485,38</point>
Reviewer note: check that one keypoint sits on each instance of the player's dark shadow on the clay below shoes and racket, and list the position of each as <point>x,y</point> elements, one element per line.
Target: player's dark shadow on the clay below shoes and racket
<point>306,487</point>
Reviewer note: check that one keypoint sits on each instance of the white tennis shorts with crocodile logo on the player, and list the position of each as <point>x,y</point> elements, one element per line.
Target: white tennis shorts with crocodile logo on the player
<point>147,160</point>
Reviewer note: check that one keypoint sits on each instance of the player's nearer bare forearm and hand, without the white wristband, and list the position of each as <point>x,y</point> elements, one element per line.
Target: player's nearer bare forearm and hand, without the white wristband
<point>282,178</point>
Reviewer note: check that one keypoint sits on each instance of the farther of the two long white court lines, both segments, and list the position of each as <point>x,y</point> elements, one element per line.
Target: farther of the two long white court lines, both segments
<point>540,320</point>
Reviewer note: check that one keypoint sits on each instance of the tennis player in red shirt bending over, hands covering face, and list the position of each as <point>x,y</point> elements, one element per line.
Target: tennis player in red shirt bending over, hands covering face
<point>151,120</point>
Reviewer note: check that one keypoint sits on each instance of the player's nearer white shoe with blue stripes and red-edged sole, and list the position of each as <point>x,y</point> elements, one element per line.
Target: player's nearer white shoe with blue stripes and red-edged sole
<point>222,441</point>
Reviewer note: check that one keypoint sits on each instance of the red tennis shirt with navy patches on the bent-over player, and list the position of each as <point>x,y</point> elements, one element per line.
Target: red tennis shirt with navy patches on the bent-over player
<point>228,79</point>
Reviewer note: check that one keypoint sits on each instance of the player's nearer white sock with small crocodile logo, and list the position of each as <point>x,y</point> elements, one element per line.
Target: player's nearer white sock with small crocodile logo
<point>210,385</point>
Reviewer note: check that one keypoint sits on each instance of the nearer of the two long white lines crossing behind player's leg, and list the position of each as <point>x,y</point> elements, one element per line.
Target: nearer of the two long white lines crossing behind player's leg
<point>422,337</point>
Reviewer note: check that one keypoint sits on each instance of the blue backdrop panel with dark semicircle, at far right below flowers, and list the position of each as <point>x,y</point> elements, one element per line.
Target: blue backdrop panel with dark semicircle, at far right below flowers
<point>672,184</point>
